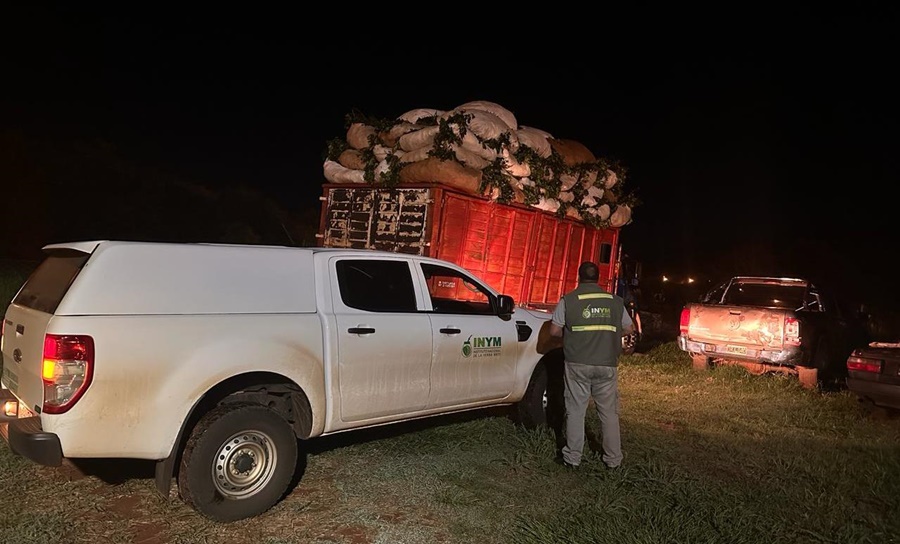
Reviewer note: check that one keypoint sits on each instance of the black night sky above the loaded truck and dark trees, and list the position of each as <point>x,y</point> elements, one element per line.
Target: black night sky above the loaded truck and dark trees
<point>764,140</point>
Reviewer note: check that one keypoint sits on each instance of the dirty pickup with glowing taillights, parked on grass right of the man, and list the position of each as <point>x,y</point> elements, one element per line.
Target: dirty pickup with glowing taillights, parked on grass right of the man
<point>771,324</point>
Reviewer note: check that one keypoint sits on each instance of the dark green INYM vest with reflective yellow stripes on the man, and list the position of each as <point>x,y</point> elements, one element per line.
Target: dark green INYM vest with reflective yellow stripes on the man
<point>593,331</point>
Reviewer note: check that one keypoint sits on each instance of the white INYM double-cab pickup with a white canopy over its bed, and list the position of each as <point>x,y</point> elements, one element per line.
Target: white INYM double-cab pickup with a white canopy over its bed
<point>217,361</point>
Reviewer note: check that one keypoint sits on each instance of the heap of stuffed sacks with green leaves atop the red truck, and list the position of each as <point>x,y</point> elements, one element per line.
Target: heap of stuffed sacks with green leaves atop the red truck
<point>480,148</point>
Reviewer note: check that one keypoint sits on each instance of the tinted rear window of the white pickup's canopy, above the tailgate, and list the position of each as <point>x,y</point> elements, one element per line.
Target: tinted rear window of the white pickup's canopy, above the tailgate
<point>45,288</point>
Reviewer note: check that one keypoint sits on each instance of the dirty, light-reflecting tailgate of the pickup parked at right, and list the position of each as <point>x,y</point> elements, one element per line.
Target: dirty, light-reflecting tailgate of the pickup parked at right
<point>737,329</point>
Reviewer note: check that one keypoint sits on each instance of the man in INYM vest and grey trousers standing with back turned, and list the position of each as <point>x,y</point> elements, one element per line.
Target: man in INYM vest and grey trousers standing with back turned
<point>591,323</point>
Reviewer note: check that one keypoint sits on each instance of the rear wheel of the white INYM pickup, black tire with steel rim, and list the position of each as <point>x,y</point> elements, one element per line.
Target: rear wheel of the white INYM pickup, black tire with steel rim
<point>240,487</point>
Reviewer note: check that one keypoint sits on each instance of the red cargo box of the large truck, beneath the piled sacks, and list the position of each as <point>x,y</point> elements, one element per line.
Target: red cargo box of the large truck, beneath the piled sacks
<point>525,252</point>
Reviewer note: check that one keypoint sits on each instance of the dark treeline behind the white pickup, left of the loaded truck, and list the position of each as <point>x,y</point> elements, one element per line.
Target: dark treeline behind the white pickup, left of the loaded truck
<point>57,189</point>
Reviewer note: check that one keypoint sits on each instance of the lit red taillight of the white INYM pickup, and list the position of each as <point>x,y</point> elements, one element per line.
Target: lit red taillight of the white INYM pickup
<point>67,370</point>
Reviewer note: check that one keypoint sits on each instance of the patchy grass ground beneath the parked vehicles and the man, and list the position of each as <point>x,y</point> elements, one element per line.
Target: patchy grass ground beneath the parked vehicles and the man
<point>717,457</point>
